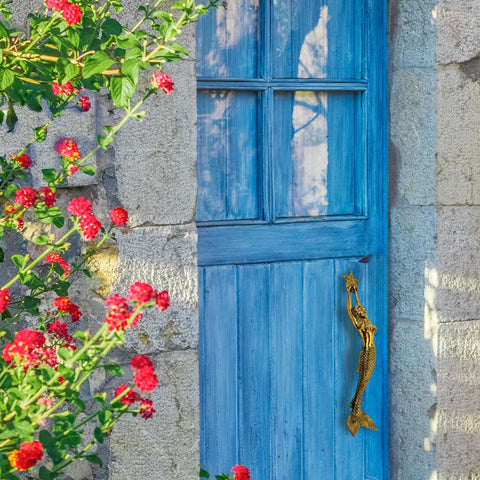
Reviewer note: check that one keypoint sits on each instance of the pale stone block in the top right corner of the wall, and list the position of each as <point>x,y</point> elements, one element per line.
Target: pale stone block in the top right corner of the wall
<point>458,30</point>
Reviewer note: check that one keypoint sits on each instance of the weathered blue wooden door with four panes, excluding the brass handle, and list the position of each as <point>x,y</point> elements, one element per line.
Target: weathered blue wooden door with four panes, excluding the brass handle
<point>291,195</point>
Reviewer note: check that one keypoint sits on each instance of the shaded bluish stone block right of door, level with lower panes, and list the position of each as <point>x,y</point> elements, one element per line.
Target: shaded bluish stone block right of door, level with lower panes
<point>413,133</point>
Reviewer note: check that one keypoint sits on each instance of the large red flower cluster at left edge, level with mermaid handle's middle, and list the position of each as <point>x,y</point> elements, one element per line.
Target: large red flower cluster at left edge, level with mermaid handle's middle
<point>29,349</point>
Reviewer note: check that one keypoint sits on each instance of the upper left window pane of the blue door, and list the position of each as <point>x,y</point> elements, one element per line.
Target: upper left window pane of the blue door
<point>227,47</point>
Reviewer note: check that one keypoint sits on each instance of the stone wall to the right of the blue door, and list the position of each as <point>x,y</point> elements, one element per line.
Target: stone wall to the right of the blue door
<point>434,262</point>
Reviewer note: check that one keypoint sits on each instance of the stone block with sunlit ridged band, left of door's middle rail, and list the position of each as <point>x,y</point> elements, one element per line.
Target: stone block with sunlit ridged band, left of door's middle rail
<point>165,257</point>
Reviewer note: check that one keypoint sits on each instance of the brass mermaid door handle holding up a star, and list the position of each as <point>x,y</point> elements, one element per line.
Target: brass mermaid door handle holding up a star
<point>366,361</point>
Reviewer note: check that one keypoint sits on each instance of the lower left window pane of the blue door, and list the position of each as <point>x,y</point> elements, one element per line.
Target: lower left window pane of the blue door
<point>227,155</point>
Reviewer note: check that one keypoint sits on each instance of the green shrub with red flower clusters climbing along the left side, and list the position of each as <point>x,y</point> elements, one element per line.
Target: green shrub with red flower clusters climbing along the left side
<point>72,47</point>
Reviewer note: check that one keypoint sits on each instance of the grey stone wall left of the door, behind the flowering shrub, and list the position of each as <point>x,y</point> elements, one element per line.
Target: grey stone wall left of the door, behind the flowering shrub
<point>150,171</point>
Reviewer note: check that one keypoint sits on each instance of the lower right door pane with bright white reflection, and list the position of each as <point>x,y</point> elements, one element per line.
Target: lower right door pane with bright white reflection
<point>314,158</point>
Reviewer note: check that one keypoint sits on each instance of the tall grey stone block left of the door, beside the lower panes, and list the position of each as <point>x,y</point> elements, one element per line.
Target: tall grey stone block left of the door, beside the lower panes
<point>155,159</point>
